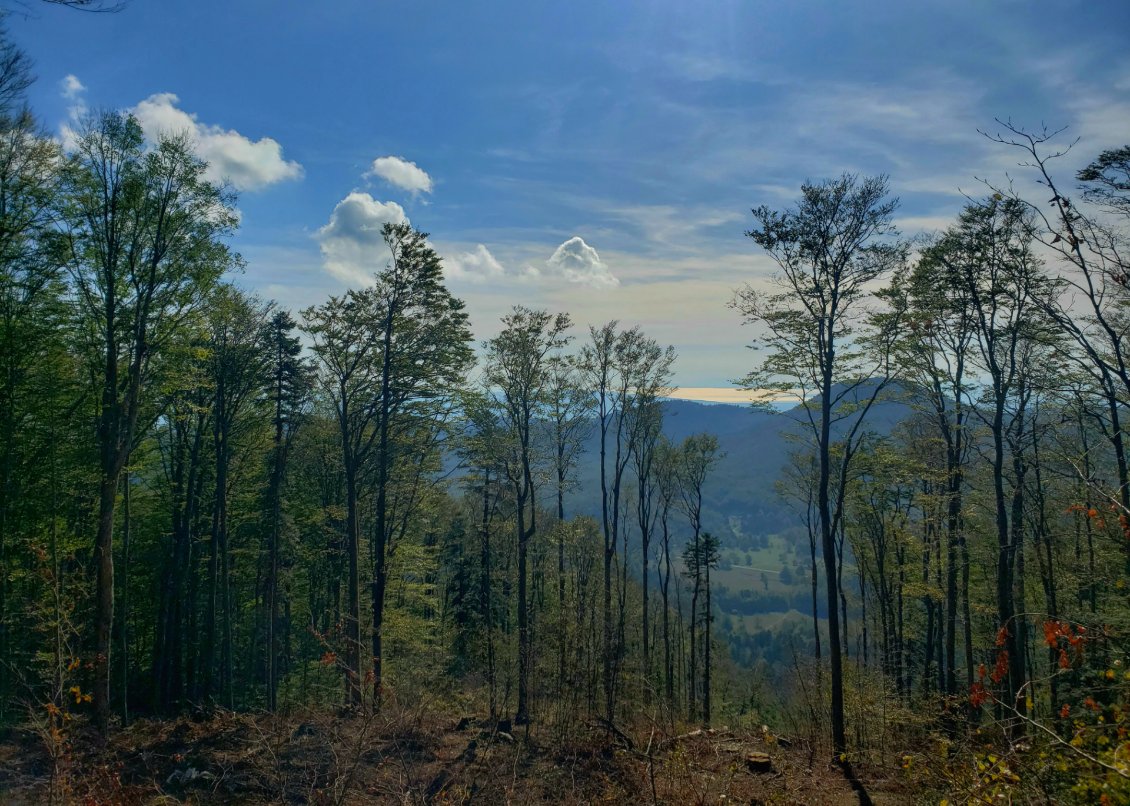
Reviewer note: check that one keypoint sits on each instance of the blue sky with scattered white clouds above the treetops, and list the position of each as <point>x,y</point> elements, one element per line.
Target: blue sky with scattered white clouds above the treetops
<point>596,158</point>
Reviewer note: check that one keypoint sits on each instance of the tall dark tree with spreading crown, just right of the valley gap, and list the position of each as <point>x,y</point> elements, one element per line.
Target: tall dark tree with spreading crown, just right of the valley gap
<point>830,249</point>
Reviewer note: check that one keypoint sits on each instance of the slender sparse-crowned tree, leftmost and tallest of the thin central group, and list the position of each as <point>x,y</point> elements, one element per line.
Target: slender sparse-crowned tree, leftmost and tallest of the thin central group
<point>518,375</point>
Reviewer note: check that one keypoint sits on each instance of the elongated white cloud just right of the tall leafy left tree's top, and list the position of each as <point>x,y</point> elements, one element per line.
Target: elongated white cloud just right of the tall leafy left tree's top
<point>247,164</point>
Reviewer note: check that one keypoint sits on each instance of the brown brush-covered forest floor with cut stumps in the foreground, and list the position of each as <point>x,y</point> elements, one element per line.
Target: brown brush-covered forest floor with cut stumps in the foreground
<point>413,759</point>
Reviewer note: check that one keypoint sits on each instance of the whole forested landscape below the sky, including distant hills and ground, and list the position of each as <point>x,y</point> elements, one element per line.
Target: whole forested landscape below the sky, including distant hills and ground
<point>354,523</point>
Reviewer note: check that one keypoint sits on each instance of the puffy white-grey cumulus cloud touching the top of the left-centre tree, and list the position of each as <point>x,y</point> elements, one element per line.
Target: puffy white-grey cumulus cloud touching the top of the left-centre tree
<point>352,246</point>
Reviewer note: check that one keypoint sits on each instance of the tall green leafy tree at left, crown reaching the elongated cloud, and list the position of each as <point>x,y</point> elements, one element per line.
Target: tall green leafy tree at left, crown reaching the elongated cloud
<point>144,250</point>
